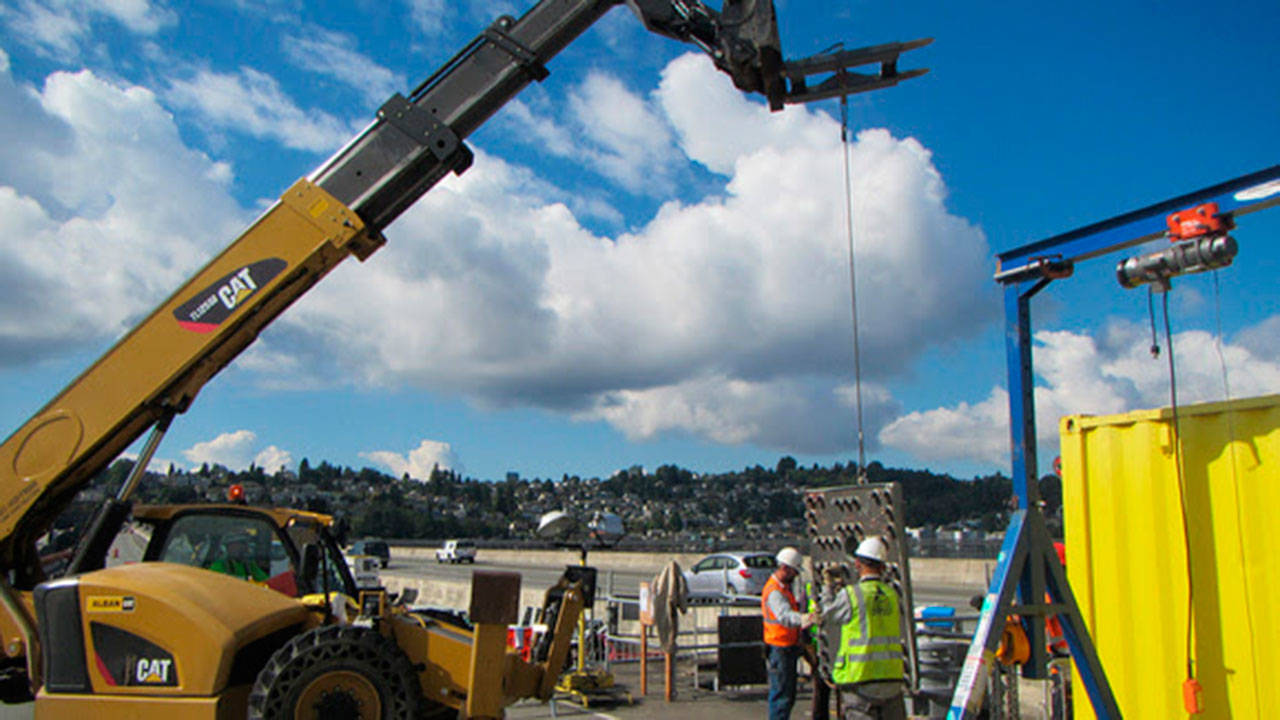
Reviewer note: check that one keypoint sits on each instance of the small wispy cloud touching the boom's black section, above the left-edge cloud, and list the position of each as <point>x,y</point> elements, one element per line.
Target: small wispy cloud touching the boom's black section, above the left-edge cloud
<point>253,103</point>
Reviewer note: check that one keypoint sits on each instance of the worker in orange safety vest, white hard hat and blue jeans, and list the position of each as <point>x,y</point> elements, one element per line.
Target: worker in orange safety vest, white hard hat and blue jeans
<point>783,626</point>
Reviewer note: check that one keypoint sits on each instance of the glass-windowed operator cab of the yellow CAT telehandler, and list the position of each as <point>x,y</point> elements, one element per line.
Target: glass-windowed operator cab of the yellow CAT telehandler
<point>260,546</point>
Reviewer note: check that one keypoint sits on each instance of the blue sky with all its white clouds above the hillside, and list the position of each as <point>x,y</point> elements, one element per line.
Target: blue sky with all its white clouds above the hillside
<point>643,266</point>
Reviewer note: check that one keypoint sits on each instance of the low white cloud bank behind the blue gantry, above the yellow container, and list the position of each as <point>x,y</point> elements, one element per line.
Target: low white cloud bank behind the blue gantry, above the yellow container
<point>1081,373</point>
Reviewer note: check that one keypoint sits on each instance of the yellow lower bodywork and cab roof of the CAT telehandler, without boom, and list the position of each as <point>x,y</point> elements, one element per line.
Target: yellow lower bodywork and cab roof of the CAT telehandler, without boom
<point>164,641</point>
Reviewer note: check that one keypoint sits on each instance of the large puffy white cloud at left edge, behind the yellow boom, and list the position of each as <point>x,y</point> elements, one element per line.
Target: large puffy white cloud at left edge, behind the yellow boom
<point>103,212</point>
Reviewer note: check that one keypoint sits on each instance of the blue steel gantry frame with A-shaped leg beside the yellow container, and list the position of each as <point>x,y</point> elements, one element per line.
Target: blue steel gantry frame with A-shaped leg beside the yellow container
<point>1028,564</point>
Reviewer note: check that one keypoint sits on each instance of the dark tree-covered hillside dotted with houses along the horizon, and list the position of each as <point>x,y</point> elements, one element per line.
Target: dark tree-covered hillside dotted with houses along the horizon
<point>446,504</point>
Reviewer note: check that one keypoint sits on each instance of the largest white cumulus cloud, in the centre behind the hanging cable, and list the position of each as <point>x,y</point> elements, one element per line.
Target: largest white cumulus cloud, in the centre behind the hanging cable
<point>491,290</point>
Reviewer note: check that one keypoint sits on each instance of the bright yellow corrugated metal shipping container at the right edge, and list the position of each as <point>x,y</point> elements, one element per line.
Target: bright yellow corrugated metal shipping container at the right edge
<point>1127,555</point>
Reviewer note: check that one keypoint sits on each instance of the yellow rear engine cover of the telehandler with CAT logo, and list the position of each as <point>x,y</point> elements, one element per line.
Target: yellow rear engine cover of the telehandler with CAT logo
<point>167,636</point>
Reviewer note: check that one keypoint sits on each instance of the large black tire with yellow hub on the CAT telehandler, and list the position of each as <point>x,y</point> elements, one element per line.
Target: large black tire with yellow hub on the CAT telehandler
<point>337,673</point>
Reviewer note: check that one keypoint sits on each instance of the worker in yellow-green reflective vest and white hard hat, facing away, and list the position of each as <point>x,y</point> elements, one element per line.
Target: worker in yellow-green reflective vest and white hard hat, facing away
<point>867,669</point>
